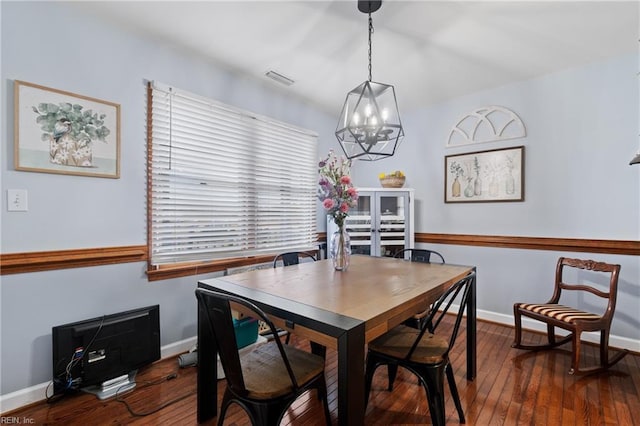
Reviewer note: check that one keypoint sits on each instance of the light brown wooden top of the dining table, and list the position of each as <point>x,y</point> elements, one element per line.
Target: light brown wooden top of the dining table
<point>373,289</point>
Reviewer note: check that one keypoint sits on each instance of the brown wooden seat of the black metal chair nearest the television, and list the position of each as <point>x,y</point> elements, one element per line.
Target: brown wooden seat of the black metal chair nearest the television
<point>265,375</point>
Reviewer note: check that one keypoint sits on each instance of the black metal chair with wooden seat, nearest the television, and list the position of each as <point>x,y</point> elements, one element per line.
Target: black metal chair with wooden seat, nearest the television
<point>271,364</point>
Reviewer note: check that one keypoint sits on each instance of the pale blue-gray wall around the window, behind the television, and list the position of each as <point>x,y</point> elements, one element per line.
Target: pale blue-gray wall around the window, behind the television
<point>83,55</point>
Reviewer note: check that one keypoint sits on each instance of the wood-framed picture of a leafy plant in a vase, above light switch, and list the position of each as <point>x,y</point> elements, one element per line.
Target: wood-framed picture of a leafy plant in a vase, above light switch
<point>62,132</point>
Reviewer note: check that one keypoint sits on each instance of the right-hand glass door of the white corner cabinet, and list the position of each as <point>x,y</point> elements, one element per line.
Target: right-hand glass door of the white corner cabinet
<point>391,223</point>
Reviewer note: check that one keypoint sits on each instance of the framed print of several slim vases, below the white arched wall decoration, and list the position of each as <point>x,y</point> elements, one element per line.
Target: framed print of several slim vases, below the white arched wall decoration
<point>483,176</point>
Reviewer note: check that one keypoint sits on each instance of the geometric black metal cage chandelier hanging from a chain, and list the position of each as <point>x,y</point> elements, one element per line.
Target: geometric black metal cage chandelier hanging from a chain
<point>369,126</point>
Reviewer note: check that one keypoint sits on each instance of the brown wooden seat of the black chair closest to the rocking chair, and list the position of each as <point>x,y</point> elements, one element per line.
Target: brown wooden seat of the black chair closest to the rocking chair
<point>398,341</point>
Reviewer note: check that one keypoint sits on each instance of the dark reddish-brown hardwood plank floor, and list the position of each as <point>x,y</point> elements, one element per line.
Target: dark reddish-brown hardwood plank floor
<point>513,387</point>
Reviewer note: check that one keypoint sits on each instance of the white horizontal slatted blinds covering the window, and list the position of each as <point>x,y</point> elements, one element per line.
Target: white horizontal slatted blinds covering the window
<point>226,182</point>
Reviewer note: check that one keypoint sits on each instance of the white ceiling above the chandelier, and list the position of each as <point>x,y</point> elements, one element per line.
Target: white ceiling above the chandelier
<point>429,50</point>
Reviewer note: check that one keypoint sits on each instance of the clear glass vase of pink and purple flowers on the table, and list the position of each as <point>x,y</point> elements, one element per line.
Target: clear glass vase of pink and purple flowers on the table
<point>338,195</point>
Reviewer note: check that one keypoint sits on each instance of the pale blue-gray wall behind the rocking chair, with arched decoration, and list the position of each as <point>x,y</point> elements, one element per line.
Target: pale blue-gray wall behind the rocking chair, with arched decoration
<point>582,131</point>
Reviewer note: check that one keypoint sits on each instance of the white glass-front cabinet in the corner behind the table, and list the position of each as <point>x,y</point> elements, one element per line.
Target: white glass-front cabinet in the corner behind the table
<point>382,222</point>
